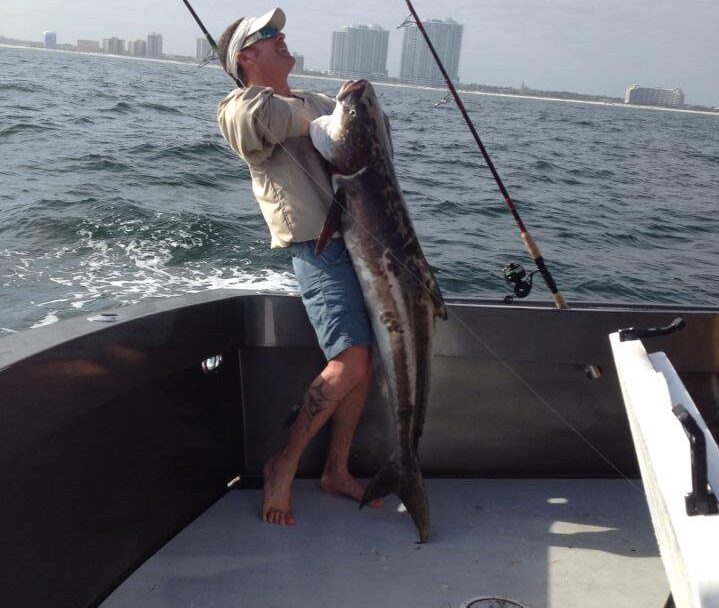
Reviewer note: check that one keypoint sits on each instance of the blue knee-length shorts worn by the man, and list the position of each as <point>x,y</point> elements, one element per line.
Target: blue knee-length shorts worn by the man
<point>332,296</point>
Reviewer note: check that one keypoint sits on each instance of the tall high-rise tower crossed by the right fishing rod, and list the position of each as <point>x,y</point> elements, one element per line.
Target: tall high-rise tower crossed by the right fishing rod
<point>418,66</point>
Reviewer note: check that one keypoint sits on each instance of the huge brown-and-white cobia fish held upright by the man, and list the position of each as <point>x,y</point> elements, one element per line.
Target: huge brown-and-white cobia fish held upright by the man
<point>400,293</point>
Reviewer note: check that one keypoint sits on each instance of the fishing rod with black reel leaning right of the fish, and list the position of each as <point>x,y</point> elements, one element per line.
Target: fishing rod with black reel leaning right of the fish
<point>512,273</point>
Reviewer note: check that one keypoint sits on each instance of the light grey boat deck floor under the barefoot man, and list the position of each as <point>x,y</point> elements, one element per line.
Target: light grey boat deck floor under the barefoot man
<point>543,543</point>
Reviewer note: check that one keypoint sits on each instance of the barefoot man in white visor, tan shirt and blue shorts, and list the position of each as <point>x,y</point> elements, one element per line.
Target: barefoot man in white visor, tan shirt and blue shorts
<point>267,124</point>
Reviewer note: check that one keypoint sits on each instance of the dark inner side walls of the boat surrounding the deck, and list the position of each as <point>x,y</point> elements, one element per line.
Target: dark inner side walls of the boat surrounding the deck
<point>114,438</point>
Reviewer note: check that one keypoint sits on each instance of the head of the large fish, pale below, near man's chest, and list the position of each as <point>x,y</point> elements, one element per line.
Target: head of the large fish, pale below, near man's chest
<point>355,134</point>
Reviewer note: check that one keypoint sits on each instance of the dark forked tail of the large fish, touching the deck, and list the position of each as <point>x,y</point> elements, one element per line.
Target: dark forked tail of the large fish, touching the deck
<point>403,477</point>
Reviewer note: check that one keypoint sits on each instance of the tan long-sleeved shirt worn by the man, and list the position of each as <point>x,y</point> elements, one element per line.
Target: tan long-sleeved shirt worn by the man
<point>289,180</point>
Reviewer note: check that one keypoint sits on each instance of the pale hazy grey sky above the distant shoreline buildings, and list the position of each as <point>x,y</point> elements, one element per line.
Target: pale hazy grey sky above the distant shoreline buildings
<point>595,47</point>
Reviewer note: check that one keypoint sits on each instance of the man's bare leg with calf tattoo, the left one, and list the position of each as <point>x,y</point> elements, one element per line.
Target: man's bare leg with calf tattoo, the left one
<point>336,382</point>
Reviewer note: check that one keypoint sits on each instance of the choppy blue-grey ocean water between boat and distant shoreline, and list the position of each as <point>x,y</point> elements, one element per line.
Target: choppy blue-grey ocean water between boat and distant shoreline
<point>117,186</point>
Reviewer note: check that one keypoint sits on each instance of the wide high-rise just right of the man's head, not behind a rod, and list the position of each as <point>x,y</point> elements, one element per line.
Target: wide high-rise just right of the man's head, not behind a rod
<point>359,51</point>
